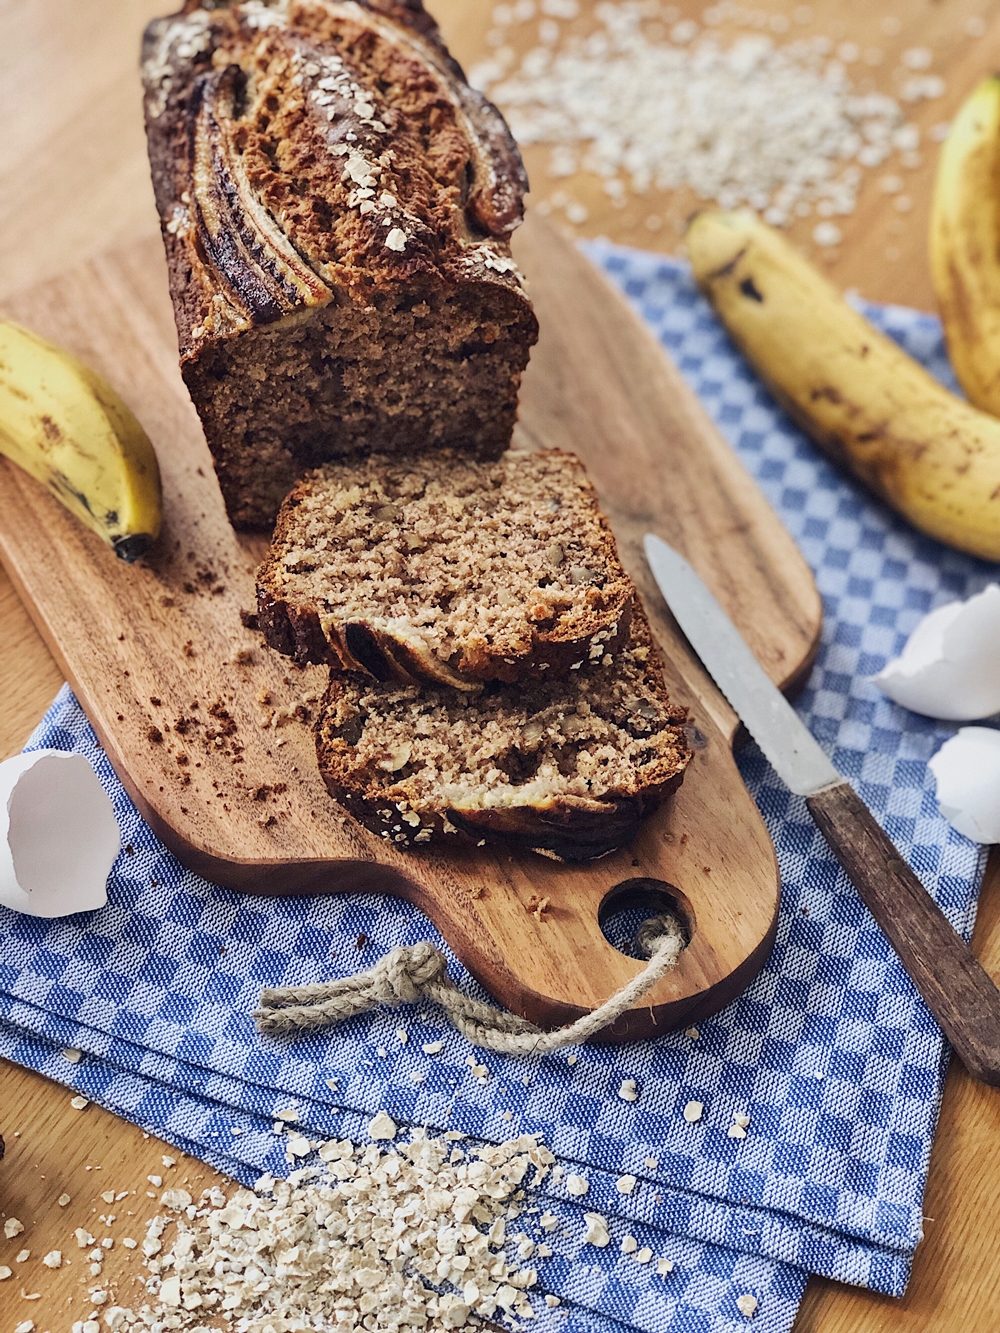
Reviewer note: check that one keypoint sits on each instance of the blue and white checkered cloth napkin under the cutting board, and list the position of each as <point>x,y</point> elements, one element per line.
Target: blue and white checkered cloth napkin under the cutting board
<point>831,1052</point>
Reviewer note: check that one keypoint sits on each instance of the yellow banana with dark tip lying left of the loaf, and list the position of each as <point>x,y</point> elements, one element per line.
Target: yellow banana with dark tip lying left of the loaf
<point>70,430</point>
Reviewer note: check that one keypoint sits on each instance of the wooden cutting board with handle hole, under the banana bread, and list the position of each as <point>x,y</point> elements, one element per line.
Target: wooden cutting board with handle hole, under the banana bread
<point>211,732</point>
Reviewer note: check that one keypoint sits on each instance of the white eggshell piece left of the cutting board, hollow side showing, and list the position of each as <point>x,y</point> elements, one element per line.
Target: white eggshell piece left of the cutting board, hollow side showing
<point>59,836</point>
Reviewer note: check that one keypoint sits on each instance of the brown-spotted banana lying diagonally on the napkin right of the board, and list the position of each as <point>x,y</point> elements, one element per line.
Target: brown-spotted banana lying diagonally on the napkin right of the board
<point>863,401</point>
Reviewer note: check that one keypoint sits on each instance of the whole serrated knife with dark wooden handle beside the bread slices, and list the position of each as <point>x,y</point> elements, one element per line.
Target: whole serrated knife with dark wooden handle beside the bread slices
<point>958,991</point>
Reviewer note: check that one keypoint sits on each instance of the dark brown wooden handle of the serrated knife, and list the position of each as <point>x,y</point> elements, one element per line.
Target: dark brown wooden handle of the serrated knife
<point>958,991</point>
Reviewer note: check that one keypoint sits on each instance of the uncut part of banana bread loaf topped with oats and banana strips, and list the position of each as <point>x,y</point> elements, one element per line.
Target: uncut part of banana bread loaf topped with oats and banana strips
<point>335,205</point>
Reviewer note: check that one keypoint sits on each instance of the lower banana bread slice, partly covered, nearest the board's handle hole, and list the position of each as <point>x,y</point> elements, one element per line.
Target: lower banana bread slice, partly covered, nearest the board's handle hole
<point>566,767</point>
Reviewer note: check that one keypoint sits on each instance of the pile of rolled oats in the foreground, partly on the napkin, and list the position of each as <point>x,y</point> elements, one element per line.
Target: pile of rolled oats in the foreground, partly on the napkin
<point>398,1238</point>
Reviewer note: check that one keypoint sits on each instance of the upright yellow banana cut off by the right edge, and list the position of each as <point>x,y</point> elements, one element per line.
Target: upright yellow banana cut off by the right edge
<point>966,245</point>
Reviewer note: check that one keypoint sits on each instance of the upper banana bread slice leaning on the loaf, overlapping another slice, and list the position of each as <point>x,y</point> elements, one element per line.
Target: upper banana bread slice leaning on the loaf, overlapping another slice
<point>445,570</point>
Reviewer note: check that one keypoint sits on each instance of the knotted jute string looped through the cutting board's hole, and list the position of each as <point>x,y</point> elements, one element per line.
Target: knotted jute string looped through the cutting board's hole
<point>421,972</point>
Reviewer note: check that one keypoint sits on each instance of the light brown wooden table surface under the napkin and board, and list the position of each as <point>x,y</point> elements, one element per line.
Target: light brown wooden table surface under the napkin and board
<point>74,182</point>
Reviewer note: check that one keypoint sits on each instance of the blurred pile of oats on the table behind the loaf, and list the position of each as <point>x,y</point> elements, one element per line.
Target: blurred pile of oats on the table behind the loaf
<point>647,102</point>
